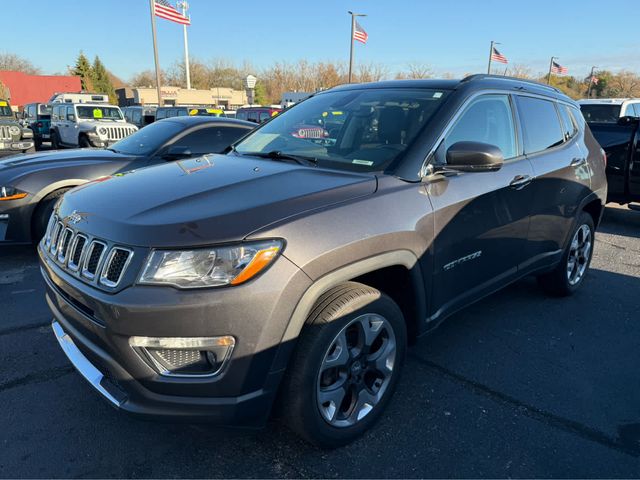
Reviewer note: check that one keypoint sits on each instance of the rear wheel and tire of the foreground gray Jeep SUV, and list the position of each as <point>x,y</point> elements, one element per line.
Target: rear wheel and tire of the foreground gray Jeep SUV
<point>569,274</point>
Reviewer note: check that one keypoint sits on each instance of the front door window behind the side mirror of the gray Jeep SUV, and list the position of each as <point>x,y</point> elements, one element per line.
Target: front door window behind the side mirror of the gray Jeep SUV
<point>488,119</point>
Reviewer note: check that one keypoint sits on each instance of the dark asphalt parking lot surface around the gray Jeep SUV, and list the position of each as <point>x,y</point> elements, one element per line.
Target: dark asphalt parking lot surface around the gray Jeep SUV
<point>518,385</point>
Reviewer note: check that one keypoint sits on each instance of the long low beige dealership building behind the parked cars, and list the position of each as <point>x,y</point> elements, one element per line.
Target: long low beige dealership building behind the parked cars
<point>227,98</point>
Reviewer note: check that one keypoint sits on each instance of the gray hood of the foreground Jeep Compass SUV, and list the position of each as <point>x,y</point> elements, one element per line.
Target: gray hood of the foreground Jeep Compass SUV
<point>210,199</point>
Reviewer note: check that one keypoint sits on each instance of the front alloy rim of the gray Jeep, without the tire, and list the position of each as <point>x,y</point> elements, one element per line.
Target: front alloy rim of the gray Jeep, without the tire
<point>356,370</point>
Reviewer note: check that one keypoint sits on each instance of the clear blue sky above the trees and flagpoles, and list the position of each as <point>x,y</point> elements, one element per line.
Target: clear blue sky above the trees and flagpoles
<point>451,36</point>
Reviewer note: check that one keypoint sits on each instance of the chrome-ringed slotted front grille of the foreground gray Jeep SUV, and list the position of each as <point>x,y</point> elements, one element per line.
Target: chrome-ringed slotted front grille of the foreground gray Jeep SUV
<point>90,259</point>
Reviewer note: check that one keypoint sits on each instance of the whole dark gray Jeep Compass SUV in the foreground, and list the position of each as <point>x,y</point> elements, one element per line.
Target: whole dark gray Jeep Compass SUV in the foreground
<point>291,273</point>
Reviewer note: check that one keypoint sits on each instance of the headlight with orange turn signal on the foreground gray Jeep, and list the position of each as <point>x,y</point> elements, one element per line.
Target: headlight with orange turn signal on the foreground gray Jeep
<point>209,267</point>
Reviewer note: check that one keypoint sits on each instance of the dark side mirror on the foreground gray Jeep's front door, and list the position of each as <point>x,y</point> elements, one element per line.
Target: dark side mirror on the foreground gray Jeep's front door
<point>474,157</point>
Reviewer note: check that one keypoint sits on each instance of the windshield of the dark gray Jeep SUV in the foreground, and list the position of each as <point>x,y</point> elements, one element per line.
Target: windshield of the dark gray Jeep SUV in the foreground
<point>361,130</point>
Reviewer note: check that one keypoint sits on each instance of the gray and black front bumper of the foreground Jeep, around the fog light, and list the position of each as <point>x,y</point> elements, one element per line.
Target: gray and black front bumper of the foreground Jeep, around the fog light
<point>241,395</point>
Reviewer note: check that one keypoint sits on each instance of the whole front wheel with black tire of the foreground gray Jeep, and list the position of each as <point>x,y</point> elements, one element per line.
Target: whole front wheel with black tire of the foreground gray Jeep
<point>346,365</point>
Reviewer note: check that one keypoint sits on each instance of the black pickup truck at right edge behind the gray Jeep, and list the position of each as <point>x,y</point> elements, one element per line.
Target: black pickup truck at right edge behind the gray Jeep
<point>621,142</point>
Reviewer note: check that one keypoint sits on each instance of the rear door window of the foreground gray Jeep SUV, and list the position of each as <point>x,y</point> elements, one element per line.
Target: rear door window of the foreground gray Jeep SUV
<point>540,124</point>
